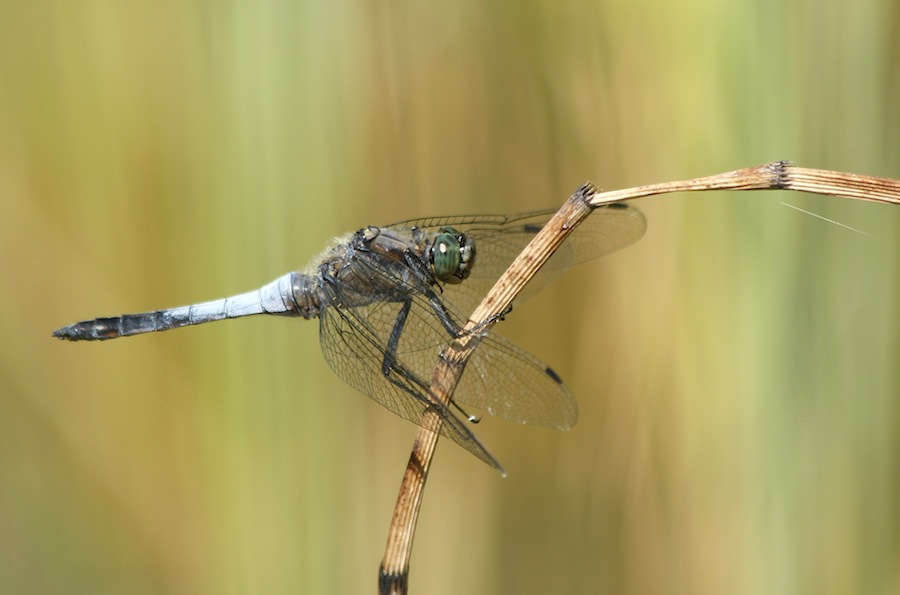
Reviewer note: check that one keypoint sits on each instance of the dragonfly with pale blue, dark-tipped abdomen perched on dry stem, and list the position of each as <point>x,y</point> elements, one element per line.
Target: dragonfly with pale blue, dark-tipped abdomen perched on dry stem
<point>390,299</point>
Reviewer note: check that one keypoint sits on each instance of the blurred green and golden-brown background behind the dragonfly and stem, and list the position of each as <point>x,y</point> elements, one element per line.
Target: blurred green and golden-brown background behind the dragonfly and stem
<point>737,371</point>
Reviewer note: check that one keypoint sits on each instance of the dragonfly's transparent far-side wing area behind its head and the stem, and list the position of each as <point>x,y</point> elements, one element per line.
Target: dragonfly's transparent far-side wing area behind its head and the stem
<point>500,238</point>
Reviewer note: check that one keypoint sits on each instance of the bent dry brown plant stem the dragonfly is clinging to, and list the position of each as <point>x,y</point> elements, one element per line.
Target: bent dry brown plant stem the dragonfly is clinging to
<point>780,175</point>
